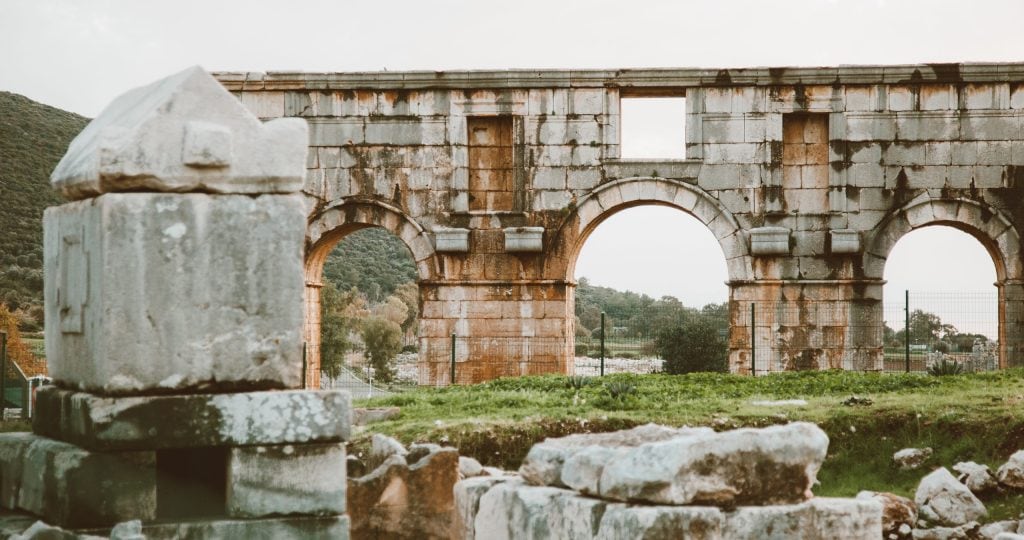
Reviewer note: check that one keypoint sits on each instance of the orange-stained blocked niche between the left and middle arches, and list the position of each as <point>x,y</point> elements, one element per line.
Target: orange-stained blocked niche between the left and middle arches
<point>492,184</point>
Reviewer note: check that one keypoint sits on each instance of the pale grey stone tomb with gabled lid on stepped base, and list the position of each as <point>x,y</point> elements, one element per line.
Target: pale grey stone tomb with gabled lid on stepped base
<point>174,286</point>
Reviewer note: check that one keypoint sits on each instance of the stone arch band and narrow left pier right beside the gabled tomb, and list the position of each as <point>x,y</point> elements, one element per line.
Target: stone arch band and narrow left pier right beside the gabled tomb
<point>325,230</point>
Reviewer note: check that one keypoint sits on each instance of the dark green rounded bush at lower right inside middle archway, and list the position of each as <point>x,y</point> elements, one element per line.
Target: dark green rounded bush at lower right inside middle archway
<point>696,346</point>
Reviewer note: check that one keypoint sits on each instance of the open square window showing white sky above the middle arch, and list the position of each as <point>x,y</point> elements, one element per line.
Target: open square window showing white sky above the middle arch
<point>654,128</point>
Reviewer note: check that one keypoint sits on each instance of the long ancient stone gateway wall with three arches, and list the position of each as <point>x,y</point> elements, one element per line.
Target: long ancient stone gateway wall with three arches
<point>806,177</point>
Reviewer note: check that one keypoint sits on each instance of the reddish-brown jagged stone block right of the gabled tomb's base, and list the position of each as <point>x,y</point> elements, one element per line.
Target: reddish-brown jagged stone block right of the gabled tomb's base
<point>407,500</point>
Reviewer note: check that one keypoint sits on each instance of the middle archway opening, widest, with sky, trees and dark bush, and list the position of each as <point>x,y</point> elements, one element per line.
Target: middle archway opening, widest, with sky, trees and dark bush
<point>659,275</point>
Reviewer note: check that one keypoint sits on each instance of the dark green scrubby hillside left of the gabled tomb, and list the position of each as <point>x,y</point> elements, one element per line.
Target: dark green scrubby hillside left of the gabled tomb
<point>33,138</point>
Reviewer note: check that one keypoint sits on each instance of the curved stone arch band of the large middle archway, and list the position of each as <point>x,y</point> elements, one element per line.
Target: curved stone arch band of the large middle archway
<point>612,198</point>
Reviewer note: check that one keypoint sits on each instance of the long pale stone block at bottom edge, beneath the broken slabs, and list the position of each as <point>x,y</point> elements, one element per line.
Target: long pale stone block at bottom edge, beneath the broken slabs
<point>515,510</point>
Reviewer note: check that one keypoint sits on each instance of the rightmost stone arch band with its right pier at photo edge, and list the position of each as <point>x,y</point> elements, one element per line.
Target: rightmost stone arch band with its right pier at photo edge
<point>992,229</point>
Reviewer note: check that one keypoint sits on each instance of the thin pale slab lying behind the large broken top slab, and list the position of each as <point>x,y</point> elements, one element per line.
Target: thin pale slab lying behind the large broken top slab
<point>543,466</point>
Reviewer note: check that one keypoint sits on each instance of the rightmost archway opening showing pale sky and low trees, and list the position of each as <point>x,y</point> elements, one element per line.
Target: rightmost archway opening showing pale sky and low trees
<point>942,304</point>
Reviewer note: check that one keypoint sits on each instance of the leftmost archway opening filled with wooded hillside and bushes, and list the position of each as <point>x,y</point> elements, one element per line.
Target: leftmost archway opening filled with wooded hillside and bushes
<point>368,313</point>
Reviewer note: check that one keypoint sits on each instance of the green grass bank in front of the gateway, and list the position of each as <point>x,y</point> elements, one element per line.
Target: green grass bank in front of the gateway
<point>977,418</point>
